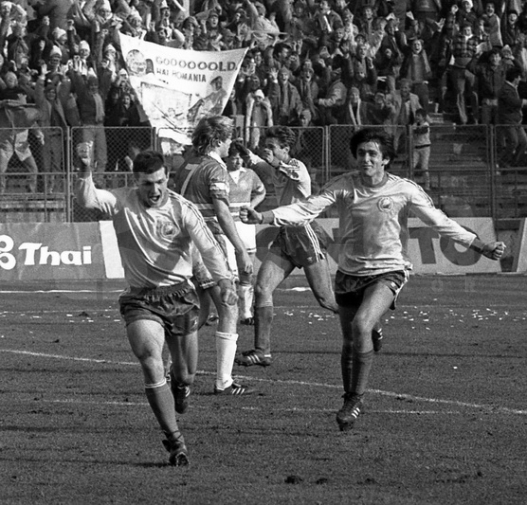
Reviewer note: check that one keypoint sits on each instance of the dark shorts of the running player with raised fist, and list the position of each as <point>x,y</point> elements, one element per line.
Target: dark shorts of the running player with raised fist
<point>176,307</point>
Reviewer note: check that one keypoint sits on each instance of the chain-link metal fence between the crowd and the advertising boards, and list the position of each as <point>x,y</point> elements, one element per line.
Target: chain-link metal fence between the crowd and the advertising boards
<point>470,170</point>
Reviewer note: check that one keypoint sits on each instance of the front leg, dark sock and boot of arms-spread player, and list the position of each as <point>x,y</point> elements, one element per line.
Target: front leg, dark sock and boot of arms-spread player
<point>357,320</point>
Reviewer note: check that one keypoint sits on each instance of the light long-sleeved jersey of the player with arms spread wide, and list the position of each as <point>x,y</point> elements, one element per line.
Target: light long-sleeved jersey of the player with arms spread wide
<point>373,224</point>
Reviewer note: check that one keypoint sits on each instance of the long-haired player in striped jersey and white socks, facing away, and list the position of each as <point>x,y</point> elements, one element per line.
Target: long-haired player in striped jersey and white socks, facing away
<point>203,179</point>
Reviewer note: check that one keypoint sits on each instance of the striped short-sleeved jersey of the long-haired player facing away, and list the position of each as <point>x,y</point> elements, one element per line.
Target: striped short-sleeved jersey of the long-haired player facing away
<point>202,179</point>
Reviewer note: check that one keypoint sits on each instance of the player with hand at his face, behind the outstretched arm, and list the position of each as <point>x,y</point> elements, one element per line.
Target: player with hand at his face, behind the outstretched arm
<point>294,247</point>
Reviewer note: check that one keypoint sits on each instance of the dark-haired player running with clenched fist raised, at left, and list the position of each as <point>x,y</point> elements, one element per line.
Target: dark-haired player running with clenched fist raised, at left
<point>156,230</point>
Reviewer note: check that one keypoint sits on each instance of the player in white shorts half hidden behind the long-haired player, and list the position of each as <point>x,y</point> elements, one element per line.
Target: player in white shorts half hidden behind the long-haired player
<point>245,189</point>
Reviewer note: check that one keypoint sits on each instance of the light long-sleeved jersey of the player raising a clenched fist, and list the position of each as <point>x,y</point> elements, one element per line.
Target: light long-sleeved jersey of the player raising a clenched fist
<point>156,243</point>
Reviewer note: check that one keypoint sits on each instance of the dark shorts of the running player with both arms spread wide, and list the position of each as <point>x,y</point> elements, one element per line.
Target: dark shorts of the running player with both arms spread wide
<point>349,289</point>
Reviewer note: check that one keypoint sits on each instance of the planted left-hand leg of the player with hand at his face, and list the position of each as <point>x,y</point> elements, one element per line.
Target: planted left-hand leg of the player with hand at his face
<point>272,272</point>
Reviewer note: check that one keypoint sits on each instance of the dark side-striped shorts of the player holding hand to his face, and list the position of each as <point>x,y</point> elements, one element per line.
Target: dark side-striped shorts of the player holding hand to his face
<point>301,245</point>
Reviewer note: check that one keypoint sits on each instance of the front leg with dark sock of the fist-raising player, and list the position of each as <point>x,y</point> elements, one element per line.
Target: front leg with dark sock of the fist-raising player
<point>146,339</point>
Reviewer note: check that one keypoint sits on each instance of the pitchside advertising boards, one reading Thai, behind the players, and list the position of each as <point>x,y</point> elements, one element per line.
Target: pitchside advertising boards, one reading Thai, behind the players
<point>88,251</point>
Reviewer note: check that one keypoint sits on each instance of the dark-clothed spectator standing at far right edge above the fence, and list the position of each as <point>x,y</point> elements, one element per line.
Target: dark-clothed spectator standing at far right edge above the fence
<point>510,113</point>
